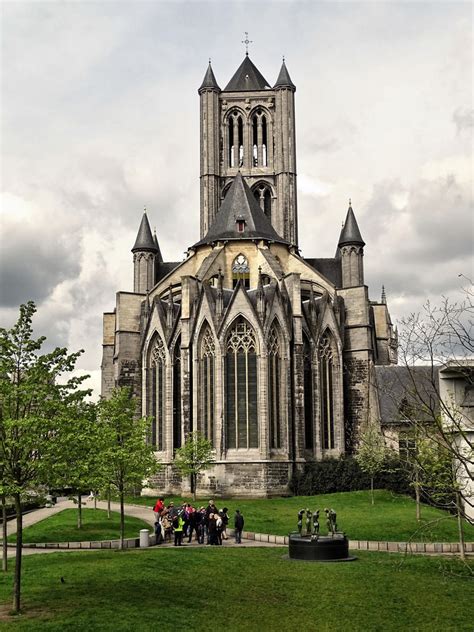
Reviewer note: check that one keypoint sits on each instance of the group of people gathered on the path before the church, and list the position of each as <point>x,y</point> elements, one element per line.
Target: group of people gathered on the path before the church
<point>207,524</point>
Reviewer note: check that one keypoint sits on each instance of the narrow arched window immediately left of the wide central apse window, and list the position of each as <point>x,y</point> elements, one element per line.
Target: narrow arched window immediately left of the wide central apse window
<point>207,394</point>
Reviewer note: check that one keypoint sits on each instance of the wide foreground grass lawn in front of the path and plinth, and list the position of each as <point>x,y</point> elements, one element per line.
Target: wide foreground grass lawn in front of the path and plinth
<point>238,589</point>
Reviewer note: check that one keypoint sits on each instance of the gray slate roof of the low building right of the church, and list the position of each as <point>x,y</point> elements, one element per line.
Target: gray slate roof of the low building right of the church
<point>407,392</point>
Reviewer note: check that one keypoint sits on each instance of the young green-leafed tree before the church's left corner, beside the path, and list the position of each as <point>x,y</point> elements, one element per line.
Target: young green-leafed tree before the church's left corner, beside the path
<point>127,456</point>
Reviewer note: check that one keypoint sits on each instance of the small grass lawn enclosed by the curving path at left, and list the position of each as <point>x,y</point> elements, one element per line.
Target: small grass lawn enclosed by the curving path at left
<point>62,527</point>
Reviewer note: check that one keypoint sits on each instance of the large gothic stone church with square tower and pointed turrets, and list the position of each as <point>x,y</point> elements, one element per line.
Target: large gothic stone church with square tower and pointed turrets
<point>269,355</point>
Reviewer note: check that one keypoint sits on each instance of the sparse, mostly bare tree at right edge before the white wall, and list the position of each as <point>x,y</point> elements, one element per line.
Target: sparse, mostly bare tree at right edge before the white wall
<point>439,339</point>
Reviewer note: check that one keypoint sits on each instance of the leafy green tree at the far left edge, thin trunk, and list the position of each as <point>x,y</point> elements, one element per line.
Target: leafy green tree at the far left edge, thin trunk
<point>33,408</point>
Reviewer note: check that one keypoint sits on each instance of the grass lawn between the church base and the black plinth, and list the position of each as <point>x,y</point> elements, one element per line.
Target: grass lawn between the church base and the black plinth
<point>391,518</point>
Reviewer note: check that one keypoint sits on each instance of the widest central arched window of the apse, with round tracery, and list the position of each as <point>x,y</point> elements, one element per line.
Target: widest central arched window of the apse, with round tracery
<point>241,387</point>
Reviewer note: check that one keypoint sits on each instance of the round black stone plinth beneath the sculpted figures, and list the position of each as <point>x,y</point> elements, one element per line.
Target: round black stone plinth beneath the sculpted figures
<point>324,549</point>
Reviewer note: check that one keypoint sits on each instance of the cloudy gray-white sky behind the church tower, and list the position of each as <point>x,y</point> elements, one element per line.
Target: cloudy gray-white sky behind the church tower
<point>100,117</point>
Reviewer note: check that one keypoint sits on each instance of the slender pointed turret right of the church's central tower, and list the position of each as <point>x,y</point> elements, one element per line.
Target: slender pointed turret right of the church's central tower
<point>351,250</point>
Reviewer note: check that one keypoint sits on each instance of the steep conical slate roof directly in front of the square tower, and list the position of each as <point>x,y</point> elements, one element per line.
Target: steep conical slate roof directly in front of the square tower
<point>239,203</point>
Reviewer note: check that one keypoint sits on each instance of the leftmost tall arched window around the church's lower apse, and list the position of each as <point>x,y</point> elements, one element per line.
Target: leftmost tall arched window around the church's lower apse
<point>158,393</point>
